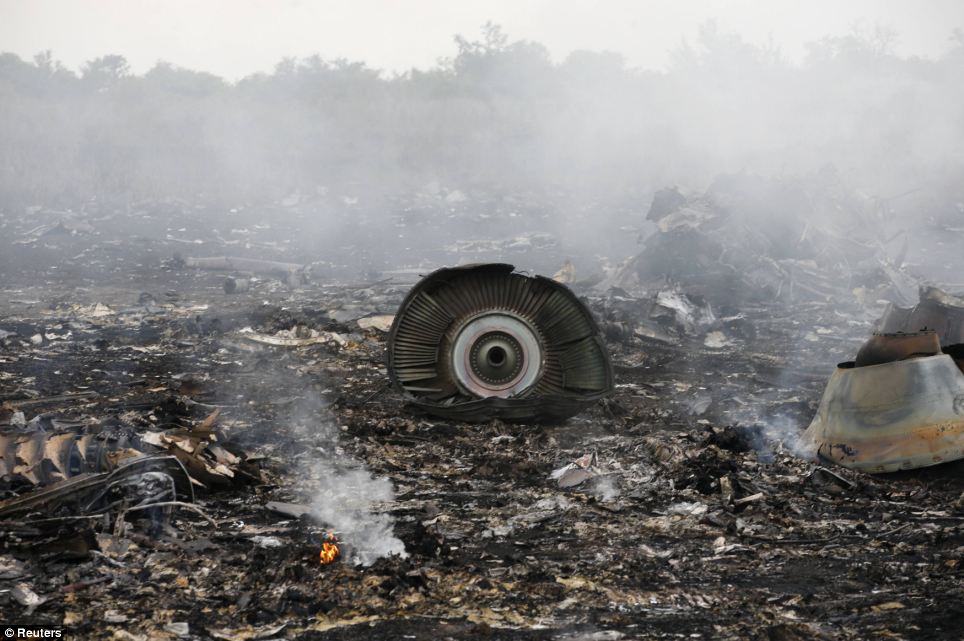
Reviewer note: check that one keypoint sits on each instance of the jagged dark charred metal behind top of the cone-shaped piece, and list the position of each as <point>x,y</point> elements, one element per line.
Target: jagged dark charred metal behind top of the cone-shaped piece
<point>937,310</point>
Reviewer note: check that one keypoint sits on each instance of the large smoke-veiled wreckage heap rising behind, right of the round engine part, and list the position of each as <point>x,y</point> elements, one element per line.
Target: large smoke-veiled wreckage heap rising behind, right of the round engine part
<point>750,239</point>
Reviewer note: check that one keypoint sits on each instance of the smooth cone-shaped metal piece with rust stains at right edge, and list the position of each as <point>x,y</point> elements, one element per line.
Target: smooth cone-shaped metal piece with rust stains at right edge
<point>900,415</point>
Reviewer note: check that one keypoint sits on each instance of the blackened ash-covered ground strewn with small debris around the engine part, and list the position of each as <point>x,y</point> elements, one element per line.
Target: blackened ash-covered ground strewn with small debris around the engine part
<point>701,523</point>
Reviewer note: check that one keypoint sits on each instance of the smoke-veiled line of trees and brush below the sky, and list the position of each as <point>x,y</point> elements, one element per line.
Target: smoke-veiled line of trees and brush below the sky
<point>499,114</point>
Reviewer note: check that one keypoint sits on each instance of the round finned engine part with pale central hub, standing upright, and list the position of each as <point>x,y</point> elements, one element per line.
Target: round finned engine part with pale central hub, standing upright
<point>482,341</point>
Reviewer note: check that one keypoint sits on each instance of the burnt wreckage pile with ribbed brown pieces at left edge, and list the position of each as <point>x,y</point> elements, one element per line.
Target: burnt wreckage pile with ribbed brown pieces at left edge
<point>71,479</point>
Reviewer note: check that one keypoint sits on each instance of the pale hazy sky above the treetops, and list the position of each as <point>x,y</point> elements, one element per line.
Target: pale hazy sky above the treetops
<point>233,38</point>
